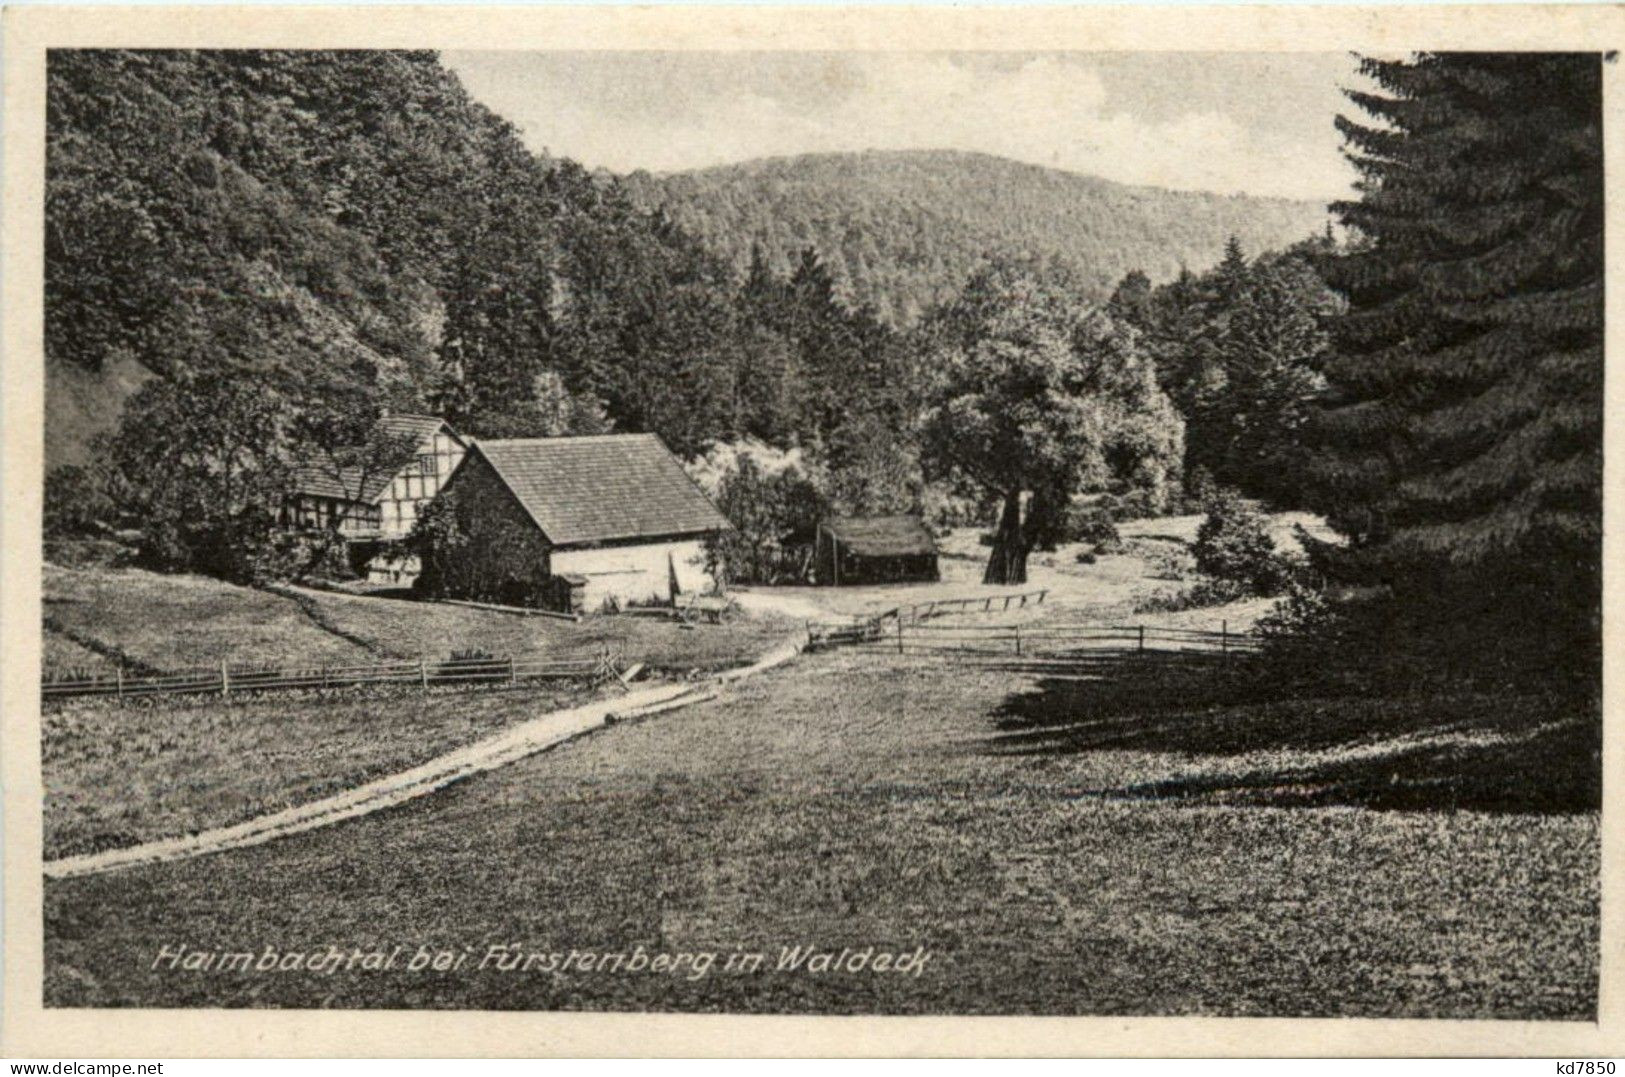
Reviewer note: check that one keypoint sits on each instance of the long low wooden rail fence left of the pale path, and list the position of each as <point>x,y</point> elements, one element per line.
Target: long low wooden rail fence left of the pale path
<point>228,681</point>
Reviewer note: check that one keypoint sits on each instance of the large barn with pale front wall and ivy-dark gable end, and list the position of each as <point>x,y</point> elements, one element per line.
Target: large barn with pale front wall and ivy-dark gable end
<point>571,524</point>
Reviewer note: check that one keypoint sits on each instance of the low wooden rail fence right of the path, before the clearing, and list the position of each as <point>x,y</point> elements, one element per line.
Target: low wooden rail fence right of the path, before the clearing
<point>1059,642</point>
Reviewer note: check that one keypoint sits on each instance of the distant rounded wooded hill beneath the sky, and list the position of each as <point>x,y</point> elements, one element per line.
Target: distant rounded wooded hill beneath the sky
<point>903,230</point>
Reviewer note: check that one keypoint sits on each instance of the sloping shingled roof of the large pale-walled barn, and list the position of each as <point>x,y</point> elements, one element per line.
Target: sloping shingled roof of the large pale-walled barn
<point>599,490</point>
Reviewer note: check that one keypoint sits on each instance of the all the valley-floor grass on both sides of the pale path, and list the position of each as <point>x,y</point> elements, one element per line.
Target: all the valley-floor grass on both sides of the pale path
<point>1151,842</point>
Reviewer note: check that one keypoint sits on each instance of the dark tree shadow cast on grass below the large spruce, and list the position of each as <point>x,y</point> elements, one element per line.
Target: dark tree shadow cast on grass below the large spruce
<point>1246,745</point>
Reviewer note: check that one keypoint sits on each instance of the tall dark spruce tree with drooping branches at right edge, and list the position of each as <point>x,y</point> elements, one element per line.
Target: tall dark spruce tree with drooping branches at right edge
<point>1462,448</point>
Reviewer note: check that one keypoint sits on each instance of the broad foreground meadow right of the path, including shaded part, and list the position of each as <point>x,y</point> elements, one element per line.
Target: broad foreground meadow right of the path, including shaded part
<point>1054,846</point>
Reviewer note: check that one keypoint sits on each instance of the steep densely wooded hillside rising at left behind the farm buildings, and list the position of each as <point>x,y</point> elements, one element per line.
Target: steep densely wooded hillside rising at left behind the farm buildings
<point>253,254</point>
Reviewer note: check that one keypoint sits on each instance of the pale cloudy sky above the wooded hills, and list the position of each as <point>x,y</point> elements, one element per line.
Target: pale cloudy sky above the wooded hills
<point>1259,124</point>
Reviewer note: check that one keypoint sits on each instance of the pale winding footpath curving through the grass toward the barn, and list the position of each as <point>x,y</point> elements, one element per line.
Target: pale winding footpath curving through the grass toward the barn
<point>498,751</point>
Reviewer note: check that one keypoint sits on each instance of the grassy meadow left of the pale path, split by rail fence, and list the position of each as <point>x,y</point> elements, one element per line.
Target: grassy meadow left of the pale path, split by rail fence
<point>158,768</point>
